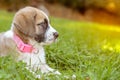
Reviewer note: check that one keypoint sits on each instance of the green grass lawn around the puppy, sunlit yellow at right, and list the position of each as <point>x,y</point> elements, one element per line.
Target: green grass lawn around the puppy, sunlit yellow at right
<point>90,51</point>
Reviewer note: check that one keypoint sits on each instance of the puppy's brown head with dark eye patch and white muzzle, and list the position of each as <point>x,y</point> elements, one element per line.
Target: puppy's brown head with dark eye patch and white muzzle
<point>34,24</point>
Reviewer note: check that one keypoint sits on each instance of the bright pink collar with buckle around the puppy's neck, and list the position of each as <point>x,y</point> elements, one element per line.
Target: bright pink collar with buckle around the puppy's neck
<point>25,48</point>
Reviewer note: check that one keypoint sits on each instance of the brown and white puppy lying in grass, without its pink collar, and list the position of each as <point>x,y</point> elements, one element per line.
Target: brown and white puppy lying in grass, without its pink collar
<point>32,26</point>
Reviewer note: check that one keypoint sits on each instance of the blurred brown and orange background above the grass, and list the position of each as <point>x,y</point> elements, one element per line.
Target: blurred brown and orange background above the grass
<point>101,11</point>
